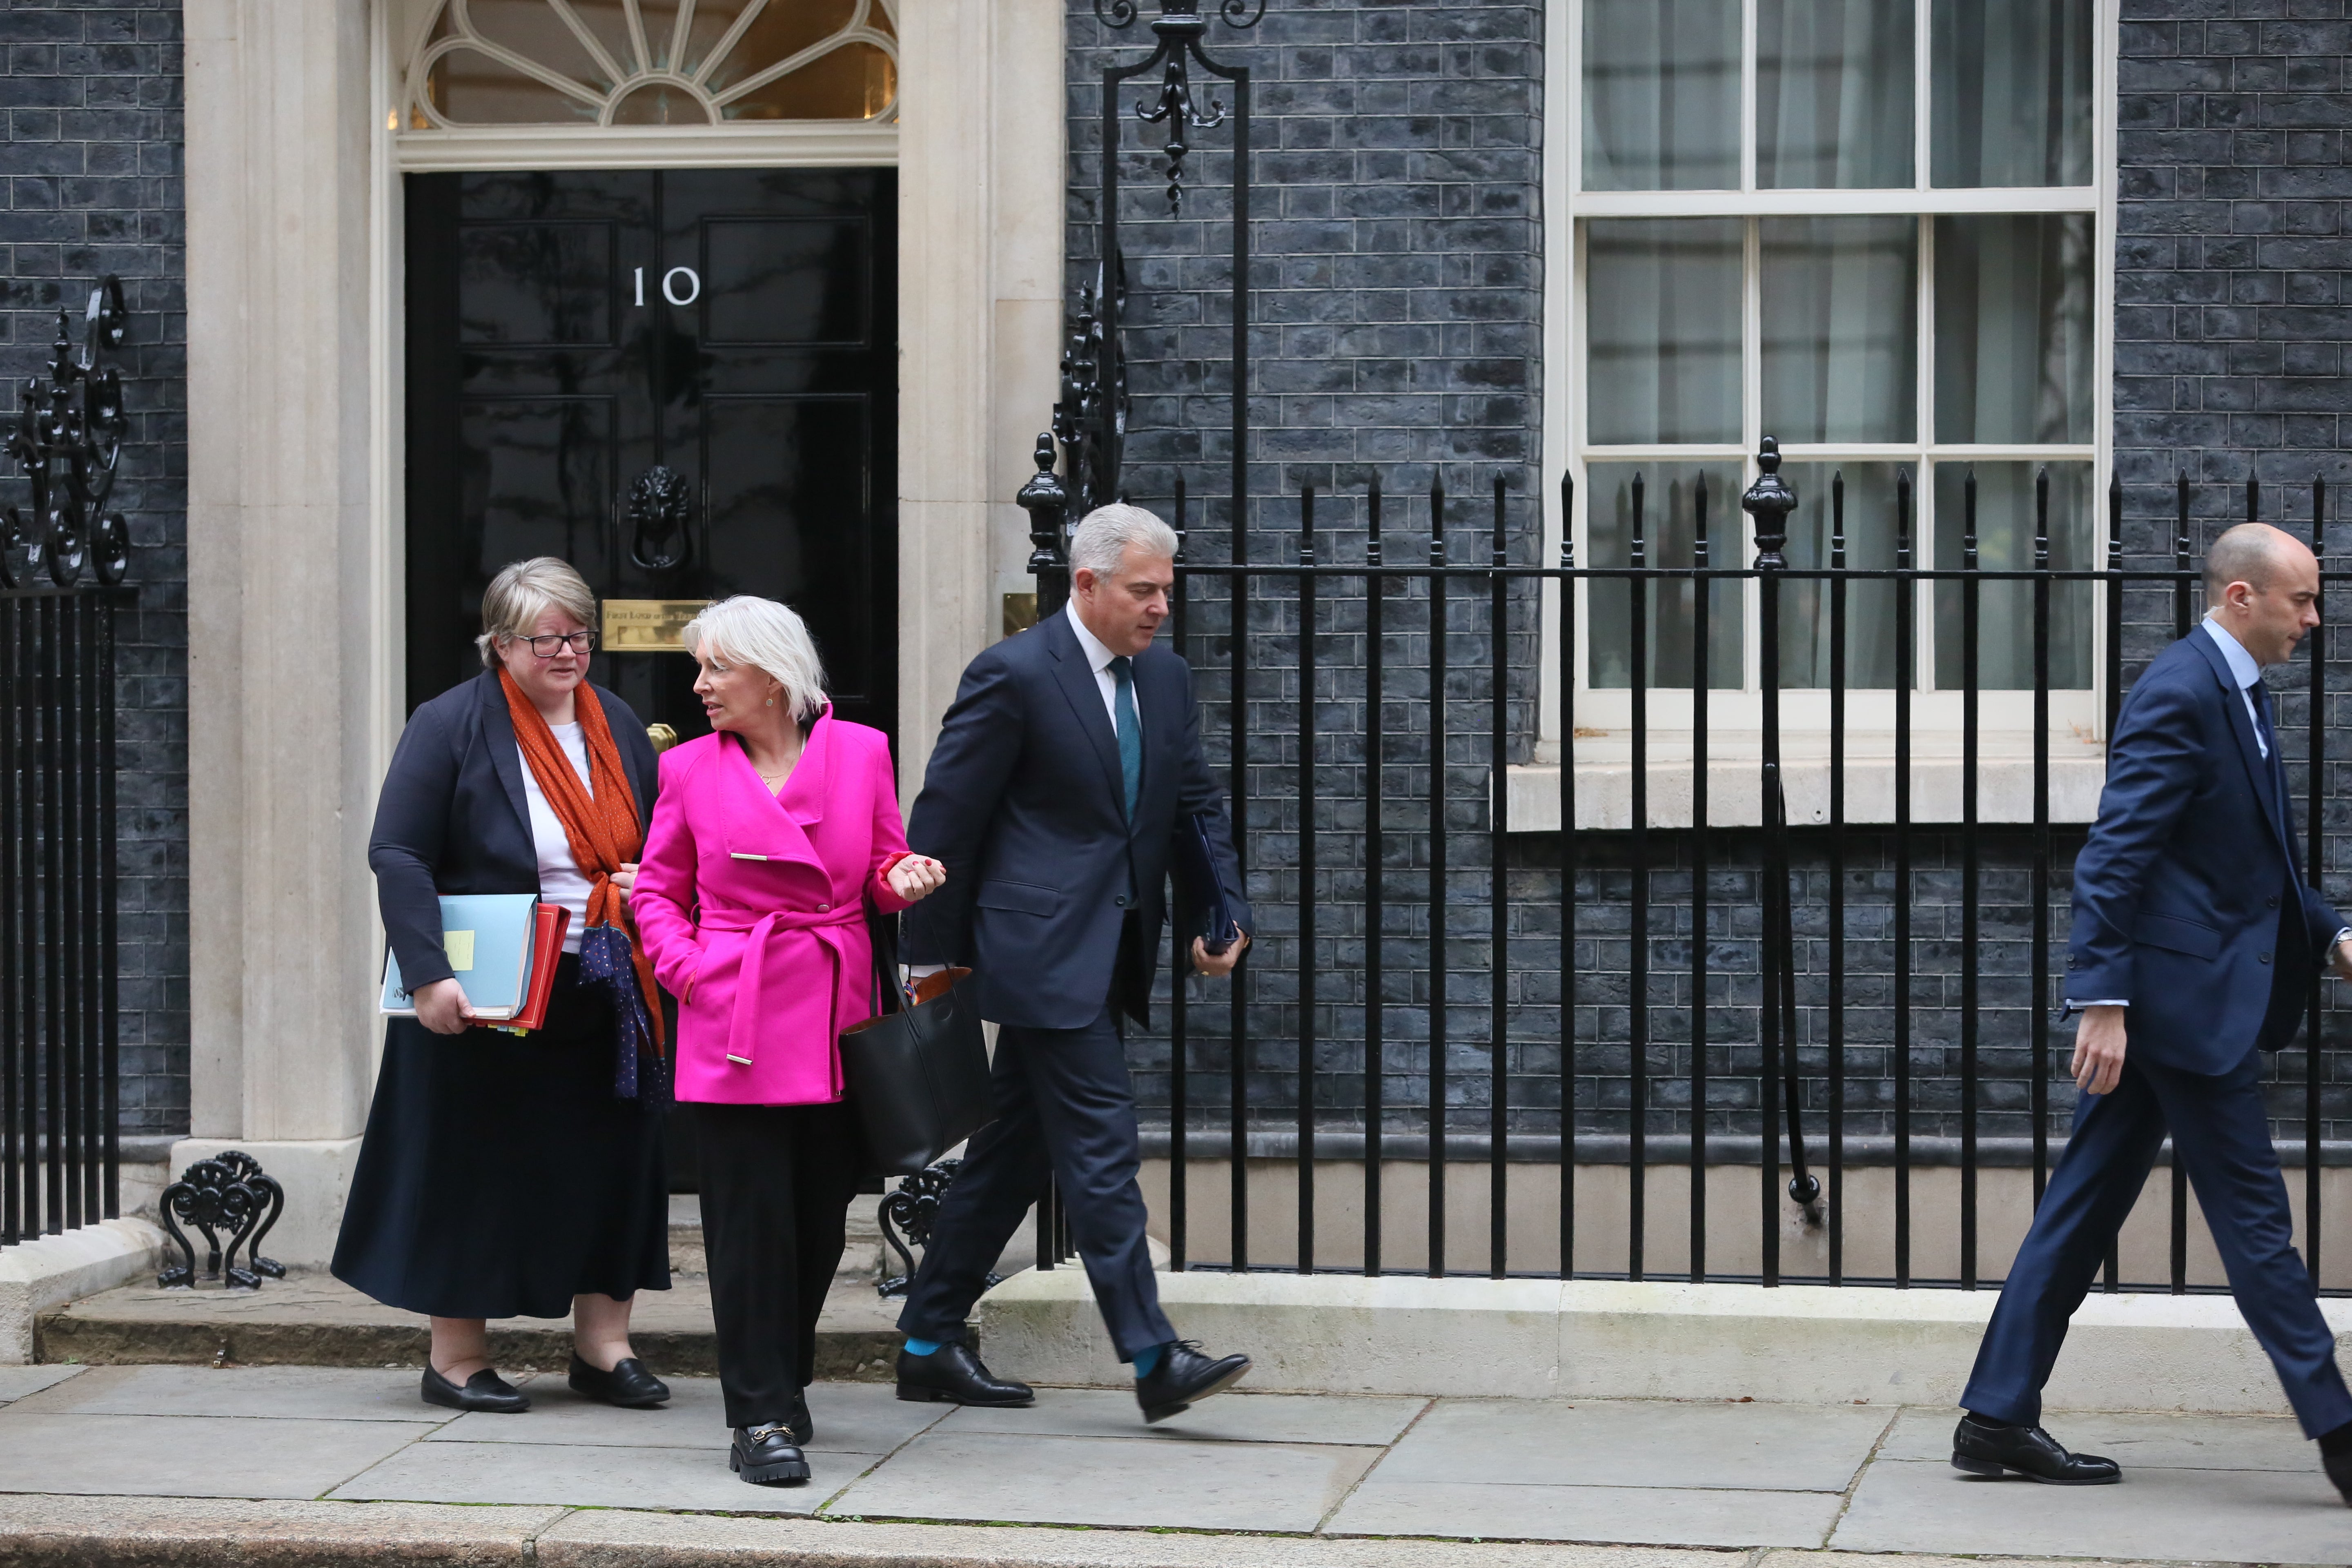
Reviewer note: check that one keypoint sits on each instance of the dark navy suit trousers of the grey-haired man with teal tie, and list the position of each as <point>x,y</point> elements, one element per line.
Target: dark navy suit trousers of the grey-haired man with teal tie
<point>1064,1108</point>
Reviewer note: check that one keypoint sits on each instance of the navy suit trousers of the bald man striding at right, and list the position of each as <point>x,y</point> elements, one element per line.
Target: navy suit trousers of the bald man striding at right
<point>2221,1134</point>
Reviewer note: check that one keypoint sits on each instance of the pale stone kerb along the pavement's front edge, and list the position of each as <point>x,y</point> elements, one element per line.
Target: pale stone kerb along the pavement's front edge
<point>41,1532</point>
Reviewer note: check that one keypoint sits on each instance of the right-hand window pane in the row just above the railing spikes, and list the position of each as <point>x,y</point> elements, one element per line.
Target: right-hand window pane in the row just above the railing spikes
<point>2014,328</point>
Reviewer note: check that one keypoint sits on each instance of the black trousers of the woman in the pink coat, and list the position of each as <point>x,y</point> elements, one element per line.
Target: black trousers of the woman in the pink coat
<point>777,1186</point>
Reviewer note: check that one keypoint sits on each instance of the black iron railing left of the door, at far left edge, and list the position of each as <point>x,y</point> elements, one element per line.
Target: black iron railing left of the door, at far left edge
<point>60,1151</point>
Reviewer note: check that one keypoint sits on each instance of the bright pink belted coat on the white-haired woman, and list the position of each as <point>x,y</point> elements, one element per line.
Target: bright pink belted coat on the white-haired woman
<point>751,906</point>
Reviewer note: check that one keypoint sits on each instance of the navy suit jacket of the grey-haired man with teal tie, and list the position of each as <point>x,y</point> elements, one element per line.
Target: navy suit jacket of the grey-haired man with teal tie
<point>1027,808</point>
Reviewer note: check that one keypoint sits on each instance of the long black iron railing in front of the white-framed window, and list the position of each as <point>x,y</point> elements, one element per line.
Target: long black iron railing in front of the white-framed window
<point>1368,713</point>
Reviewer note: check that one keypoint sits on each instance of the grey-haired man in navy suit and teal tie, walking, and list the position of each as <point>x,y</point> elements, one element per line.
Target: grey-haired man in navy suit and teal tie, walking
<point>1064,775</point>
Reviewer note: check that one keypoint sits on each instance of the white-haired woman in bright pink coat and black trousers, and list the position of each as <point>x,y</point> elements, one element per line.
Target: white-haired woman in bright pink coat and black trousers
<point>770,838</point>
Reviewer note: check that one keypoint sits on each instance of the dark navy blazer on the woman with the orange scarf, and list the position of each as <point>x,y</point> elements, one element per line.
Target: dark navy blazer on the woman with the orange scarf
<point>453,817</point>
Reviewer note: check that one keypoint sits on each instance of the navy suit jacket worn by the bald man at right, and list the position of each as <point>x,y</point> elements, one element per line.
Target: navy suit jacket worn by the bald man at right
<point>2177,894</point>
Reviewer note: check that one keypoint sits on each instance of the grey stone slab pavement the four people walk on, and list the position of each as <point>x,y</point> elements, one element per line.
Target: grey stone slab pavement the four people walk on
<point>347,1452</point>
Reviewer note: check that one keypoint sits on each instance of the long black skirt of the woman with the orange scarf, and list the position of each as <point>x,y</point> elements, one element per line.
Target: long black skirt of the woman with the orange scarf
<point>502,1177</point>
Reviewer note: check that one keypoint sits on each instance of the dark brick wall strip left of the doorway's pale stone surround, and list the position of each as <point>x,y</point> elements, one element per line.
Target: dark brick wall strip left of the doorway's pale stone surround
<point>91,182</point>
